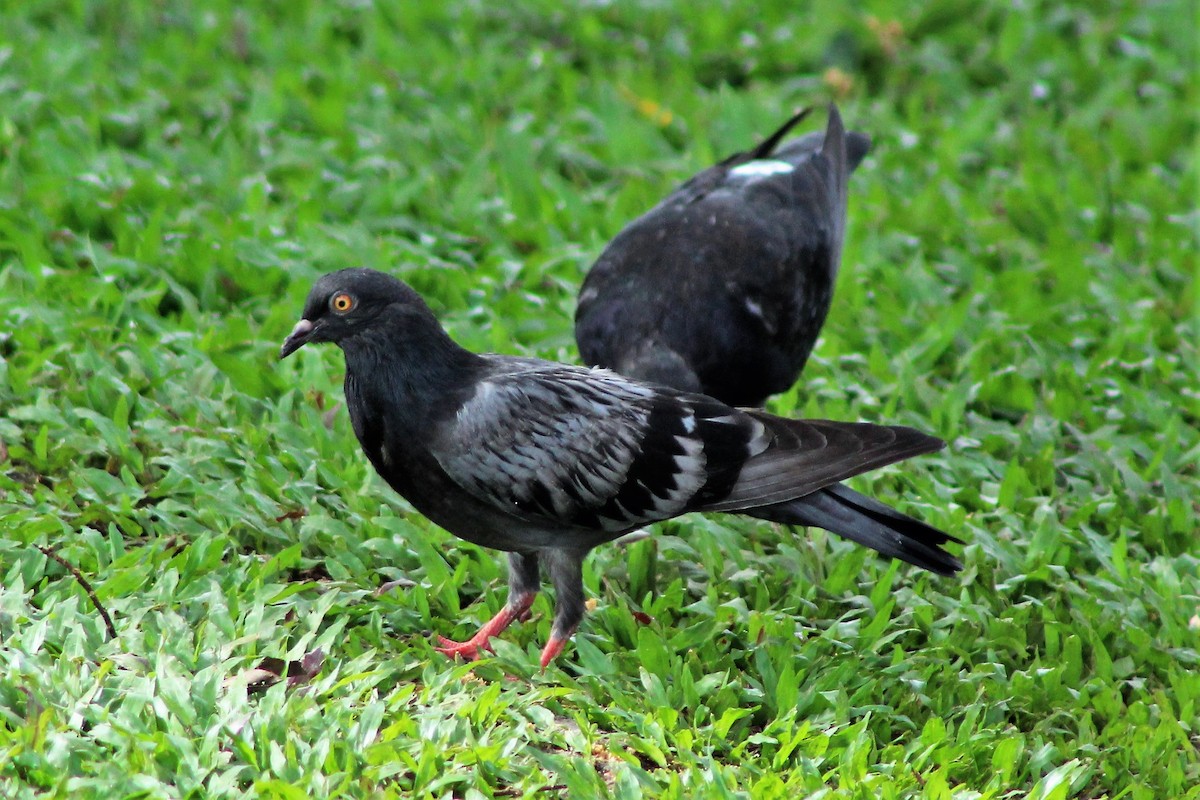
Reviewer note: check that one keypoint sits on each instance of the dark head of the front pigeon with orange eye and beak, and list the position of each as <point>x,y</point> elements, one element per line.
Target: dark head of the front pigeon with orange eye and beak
<point>349,304</point>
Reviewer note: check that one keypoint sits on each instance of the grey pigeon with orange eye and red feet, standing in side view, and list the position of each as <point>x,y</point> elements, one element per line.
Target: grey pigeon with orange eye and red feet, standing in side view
<point>547,461</point>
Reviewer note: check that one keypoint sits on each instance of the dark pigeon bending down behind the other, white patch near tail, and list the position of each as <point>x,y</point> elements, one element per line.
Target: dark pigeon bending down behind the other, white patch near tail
<point>723,287</point>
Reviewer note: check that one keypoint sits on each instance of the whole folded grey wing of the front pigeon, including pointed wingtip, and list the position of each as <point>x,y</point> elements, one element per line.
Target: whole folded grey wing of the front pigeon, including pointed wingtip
<point>590,449</point>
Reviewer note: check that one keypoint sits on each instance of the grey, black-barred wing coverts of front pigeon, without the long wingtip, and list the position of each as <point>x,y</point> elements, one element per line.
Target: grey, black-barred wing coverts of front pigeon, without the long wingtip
<point>589,448</point>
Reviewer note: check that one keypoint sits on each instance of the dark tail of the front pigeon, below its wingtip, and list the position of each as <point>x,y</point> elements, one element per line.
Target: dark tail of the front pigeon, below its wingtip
<point>863,520</point>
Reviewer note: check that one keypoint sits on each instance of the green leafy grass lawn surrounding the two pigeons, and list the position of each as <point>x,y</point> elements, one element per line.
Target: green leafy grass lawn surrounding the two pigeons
<point>1019,279</point>
